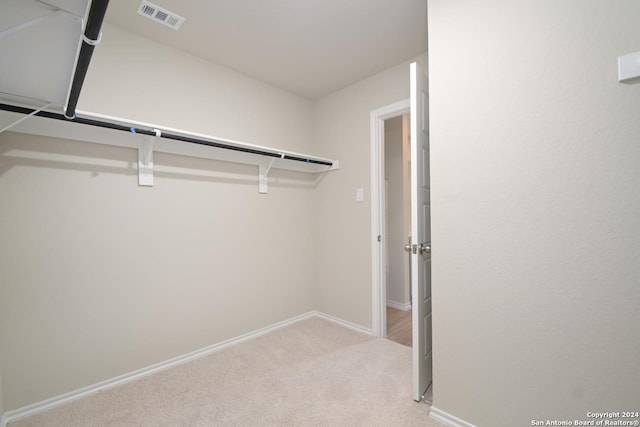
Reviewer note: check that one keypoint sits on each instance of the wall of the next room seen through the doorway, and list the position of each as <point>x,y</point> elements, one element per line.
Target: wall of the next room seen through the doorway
<point>397,261</point>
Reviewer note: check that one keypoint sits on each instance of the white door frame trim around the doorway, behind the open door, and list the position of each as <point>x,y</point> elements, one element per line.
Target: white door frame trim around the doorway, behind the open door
<point>378,219</point>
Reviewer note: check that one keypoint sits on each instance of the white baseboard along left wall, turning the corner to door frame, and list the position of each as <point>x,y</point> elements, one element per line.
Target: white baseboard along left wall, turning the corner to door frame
<point>48,404</point>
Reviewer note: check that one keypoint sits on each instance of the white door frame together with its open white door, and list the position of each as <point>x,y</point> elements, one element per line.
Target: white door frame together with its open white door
<point>420,246</point>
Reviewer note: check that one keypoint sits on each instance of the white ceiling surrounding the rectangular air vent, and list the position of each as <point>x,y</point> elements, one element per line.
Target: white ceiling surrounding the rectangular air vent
<point>309,47</point>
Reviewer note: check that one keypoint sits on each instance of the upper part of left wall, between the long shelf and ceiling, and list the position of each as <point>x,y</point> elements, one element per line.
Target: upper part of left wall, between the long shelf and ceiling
<point>133,77</point>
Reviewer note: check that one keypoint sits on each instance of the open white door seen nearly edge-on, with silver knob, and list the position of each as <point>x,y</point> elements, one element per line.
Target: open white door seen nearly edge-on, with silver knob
<point>420,233</point>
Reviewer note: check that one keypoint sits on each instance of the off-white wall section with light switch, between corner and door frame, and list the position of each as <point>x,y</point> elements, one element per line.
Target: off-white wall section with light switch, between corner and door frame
<point>342,225</point>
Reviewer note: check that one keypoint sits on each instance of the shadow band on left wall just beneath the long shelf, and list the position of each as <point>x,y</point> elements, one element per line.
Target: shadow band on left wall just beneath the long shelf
<point>53,153</point>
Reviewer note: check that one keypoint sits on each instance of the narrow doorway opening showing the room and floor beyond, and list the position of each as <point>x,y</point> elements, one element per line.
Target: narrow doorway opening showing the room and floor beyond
<point>397,195</point>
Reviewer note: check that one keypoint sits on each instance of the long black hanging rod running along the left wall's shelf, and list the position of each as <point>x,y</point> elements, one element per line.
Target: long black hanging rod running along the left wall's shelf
<point>164,134</point>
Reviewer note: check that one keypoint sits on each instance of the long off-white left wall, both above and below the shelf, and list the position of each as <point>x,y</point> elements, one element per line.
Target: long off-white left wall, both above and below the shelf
<point>99,277</point>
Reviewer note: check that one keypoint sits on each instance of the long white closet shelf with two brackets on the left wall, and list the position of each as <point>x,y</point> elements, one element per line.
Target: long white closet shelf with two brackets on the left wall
<point>149,138</point>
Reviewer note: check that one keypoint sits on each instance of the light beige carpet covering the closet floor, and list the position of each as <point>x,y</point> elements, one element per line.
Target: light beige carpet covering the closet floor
<point>312,373</point>
